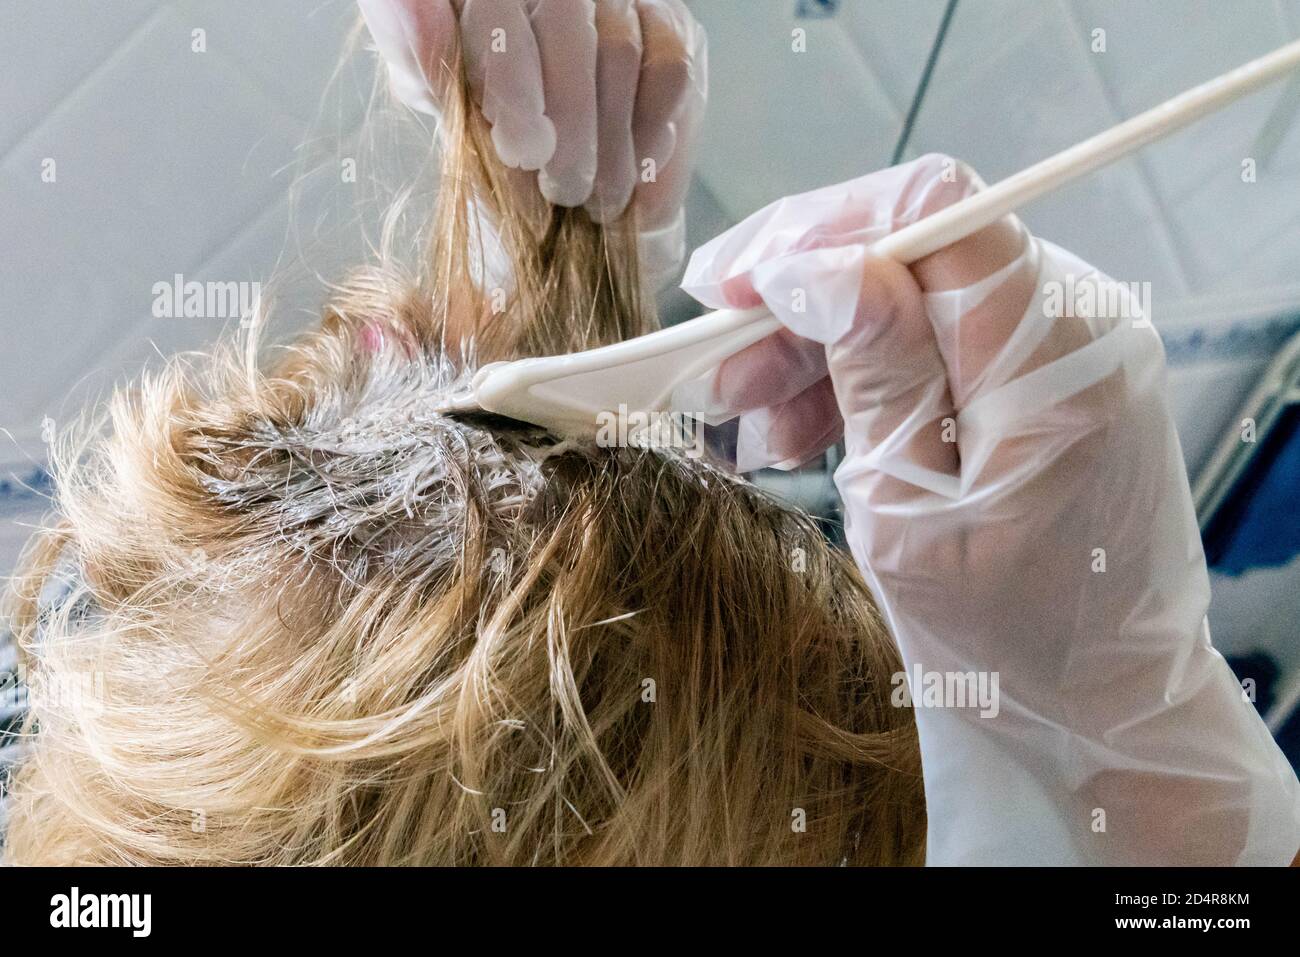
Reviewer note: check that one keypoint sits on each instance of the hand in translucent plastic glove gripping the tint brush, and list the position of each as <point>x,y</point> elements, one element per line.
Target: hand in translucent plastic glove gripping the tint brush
<point>1016,495</point>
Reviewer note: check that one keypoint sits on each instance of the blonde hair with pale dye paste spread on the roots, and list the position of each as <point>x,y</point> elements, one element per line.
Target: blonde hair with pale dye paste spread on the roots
<point>331,626</point>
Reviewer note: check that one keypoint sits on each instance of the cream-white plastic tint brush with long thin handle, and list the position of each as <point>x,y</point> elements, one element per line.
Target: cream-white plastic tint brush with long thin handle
<point>570,393</point>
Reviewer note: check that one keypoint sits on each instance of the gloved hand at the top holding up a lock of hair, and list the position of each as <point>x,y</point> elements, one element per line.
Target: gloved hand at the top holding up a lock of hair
<point>603,98</point>
